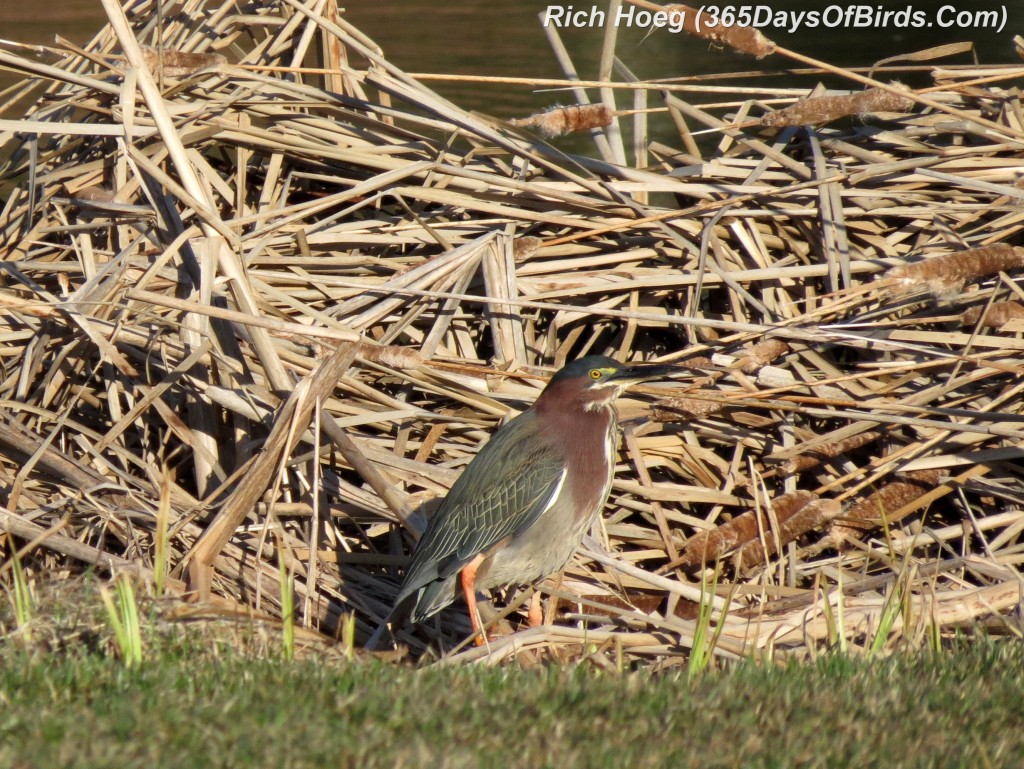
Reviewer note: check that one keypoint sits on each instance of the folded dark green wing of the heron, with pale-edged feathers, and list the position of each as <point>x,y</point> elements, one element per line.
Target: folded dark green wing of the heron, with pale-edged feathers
<point>503,491</point>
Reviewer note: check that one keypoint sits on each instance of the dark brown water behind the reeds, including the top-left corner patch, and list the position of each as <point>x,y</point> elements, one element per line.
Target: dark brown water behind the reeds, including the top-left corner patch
<point>505,38</point>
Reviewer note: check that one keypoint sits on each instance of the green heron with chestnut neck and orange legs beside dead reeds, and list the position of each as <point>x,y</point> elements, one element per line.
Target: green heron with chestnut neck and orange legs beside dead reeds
<point>521,509</point>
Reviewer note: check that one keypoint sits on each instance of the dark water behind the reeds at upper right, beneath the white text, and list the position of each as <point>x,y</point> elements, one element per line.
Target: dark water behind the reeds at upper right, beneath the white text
<point>506,39</point>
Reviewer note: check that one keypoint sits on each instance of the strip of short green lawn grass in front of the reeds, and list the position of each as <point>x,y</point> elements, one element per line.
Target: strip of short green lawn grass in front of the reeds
<point>963,710</point>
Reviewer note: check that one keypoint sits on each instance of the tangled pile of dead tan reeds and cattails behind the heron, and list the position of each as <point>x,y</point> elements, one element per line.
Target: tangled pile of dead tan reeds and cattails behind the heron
<point>259,314</point>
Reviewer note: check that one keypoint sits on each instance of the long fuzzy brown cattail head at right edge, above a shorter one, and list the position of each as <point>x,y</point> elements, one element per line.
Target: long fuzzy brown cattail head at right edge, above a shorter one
<point>948,274</point>
